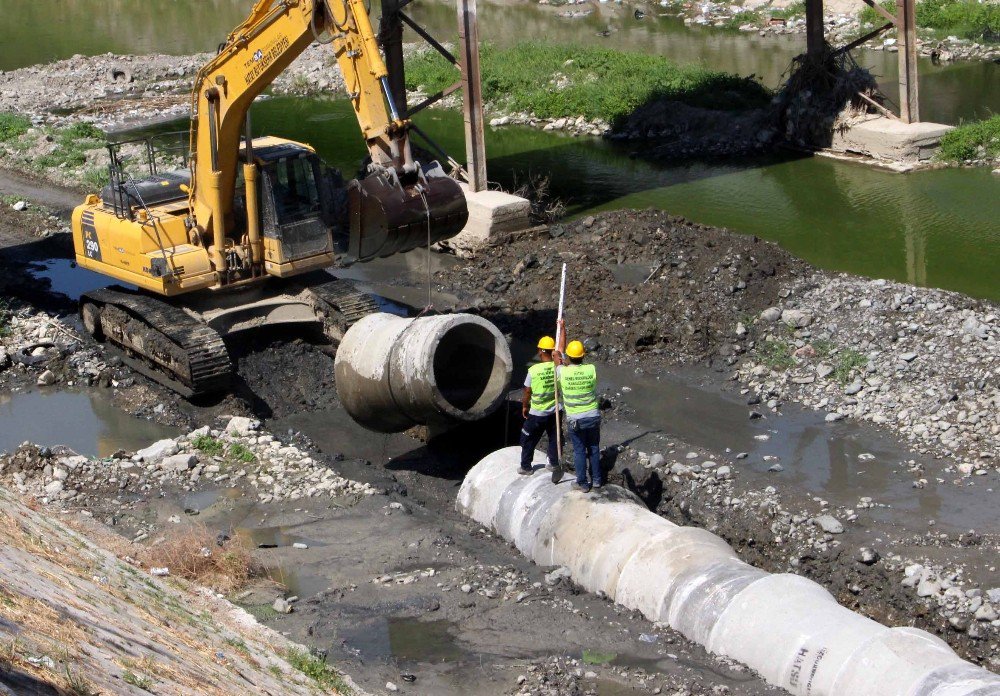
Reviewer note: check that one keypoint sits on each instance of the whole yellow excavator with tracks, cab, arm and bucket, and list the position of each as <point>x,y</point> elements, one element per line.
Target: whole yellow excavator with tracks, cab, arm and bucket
<point>238,239</point>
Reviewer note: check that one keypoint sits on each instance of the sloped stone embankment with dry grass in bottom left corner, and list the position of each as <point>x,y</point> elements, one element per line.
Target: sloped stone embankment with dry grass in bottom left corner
<point>77,619</point>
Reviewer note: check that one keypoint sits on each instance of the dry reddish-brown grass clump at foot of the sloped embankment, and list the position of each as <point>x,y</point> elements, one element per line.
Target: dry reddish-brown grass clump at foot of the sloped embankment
<point>193,553</point>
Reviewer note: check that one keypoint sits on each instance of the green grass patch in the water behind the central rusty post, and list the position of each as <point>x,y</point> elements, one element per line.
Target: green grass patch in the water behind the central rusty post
<point>555,81</point>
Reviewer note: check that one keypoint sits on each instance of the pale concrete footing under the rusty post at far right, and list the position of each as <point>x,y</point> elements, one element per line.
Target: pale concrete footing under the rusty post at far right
<point>888,139</point>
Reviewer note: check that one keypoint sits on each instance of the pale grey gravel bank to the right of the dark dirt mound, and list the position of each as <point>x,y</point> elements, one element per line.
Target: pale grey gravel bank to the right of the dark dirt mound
<point>923,363</point>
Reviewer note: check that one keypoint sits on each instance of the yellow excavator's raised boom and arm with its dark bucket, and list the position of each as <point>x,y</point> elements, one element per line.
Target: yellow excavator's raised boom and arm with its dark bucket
<point>274,34</point>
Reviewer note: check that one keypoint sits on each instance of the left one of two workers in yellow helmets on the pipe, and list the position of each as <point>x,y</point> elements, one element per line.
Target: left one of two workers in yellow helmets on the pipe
<point>538,406</point>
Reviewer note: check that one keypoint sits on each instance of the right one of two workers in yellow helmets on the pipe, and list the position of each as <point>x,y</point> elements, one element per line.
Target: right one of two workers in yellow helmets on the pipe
<point>578,391</point>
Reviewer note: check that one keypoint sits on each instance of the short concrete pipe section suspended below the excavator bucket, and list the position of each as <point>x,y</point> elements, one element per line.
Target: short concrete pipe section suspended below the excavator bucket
<point>394,373</point>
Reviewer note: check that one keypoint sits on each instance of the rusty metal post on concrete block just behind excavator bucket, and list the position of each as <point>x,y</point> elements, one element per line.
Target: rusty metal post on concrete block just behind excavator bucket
<point>472,101</point>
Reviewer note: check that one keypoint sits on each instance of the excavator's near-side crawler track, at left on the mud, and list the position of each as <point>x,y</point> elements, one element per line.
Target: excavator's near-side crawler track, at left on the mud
<point>173,347</point>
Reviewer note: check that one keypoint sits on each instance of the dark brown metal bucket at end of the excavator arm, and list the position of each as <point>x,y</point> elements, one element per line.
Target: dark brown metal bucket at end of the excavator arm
<point>388,217</point>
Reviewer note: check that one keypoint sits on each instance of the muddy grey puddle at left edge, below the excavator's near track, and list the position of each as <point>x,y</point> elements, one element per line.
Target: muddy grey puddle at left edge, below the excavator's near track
<point>86,422</point>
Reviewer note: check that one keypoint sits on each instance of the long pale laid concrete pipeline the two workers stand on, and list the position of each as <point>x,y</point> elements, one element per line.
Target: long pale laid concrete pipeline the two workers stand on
<point>788,628</point>
